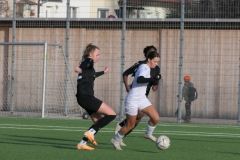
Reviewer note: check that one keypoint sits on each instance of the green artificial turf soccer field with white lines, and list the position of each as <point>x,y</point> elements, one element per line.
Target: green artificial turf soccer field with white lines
<point>33,138</point>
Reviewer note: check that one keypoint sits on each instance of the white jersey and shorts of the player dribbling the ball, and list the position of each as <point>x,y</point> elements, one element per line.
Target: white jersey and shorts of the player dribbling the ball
<point>136,98</point>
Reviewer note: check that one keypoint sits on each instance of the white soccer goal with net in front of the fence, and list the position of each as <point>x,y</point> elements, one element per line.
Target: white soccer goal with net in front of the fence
<point>22,75</point>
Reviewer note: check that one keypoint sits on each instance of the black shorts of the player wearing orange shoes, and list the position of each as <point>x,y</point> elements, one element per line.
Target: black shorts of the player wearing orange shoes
<point>90,103</point>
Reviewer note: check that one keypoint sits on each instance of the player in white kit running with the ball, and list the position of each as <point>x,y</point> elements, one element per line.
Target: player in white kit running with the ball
<point>137,100</point>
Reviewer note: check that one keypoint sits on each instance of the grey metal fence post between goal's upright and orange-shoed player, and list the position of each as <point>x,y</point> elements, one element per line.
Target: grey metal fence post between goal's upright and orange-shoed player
<point>67,55</point>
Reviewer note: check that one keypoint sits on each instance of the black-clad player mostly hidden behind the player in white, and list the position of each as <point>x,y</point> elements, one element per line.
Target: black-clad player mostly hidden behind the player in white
<point>132,70</point>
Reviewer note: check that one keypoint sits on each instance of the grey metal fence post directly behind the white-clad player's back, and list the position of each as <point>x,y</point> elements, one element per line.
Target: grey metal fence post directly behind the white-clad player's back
<point>123,58</point>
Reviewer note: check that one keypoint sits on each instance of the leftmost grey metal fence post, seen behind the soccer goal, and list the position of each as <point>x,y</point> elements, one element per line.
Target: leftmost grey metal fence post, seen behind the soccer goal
<point>13,58</point>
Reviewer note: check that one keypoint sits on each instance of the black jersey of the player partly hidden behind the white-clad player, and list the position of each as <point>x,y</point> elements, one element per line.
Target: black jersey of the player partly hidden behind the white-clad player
<point>154,71</point>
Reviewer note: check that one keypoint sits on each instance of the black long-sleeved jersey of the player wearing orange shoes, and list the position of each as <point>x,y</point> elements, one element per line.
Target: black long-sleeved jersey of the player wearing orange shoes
<point>87,77</point>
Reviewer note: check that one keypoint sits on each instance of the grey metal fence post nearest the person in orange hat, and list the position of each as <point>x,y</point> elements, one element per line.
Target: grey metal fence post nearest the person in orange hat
<point>181,61</point>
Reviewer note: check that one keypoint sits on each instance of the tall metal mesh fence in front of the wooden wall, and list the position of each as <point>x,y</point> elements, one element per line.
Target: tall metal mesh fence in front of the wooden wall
<point>199,38</point>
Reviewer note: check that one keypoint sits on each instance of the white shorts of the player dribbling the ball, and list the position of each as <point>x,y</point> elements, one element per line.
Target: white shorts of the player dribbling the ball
<point>131,107</point>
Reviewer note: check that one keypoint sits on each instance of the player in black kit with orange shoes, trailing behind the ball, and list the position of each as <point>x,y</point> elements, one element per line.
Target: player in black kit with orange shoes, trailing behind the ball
<point>86,99</point>
